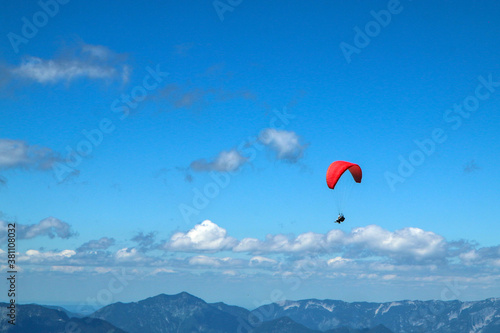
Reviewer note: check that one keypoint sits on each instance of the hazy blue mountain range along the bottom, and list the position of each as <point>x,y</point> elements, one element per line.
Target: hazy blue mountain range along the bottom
<point>186,313</point>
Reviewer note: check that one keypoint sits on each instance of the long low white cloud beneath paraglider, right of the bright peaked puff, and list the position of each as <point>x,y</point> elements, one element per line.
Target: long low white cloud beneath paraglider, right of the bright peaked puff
<point>407,244</point>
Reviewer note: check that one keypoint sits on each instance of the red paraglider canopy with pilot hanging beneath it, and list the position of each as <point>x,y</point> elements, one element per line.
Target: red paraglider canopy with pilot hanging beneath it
<point>333,175</point>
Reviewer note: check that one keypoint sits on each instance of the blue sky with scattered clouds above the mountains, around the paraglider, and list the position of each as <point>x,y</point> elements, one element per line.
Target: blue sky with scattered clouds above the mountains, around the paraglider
<point>246,104</point>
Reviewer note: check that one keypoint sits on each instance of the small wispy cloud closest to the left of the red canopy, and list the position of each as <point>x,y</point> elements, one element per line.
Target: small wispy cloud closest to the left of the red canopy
<point>286,144</point>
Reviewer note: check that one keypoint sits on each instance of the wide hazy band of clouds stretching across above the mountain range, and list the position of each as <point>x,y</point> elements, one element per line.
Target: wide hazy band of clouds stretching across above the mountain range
<point>372,253</point>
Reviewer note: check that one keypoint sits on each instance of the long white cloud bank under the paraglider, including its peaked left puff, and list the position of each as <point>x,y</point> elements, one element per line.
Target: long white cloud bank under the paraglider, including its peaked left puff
<point>404,244</point>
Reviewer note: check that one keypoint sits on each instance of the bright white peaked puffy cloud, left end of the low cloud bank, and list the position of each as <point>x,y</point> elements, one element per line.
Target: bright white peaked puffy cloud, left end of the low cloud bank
<point>206,236</point>
